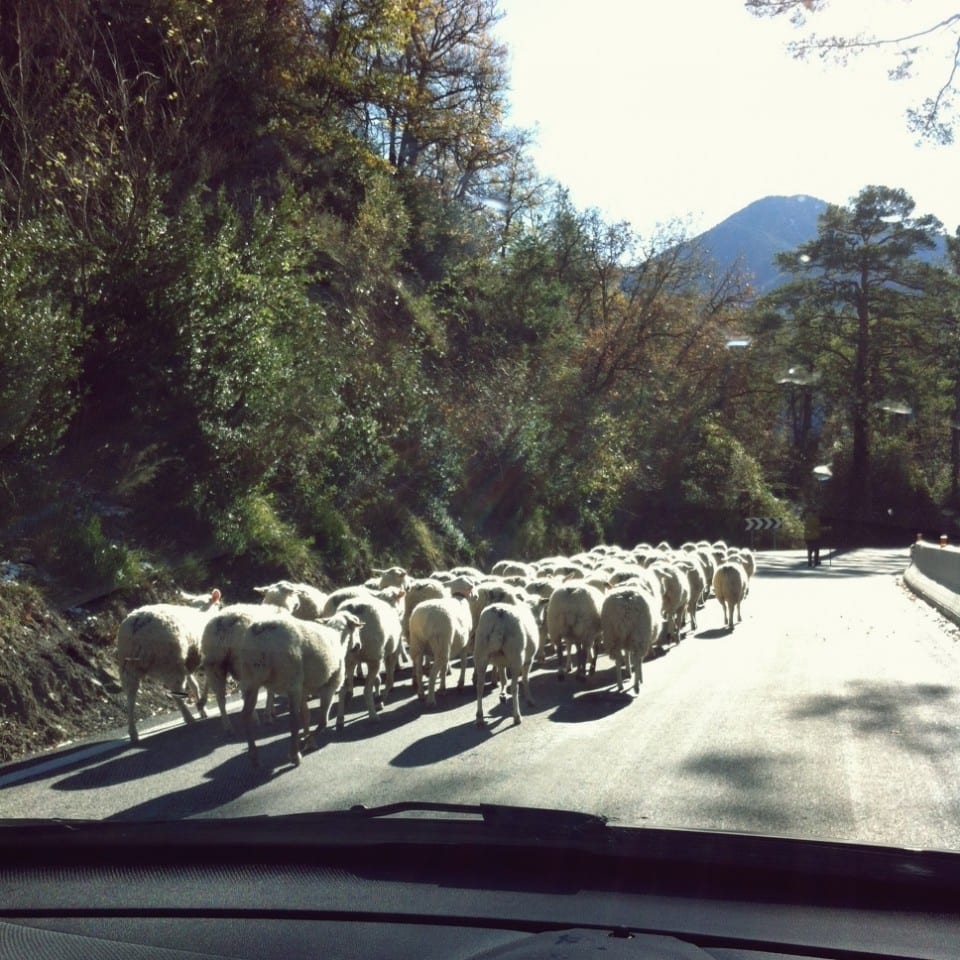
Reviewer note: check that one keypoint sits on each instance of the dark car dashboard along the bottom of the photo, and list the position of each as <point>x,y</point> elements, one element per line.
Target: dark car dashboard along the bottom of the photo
<point>355,887</point>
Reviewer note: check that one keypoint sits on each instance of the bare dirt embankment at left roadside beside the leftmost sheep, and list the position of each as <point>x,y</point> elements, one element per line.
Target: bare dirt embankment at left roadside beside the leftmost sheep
<point>58,671</point>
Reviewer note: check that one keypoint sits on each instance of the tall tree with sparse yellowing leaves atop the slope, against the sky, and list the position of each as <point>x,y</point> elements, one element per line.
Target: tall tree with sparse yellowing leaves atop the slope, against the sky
<point>424,82</point>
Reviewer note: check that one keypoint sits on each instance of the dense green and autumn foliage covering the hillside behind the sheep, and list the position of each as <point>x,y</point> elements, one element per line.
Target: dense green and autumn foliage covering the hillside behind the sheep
<point>278,288</point>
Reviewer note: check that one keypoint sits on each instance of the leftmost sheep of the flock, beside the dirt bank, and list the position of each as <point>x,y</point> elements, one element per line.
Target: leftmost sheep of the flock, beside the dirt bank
<point>163,640</point>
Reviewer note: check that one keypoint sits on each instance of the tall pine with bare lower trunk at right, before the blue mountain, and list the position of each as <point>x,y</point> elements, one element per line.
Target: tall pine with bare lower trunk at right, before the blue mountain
<point>858,290</point>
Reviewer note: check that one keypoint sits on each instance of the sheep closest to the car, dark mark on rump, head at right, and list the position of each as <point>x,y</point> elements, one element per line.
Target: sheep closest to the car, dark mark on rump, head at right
<point>299,658</point>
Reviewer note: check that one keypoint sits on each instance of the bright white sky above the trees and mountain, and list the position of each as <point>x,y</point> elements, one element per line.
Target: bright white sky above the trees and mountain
<point>656,110</point>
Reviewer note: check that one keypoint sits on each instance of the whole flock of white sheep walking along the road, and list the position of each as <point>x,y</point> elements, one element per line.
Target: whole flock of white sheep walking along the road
<point>302,643</point>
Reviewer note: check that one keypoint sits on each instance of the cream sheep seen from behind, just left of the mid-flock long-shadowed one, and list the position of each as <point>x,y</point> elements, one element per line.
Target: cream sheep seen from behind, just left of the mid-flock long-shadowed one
<point>439,629</point>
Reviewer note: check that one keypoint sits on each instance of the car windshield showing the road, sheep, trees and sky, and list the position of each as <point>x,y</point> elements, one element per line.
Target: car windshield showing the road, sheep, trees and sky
<point>451,402</point>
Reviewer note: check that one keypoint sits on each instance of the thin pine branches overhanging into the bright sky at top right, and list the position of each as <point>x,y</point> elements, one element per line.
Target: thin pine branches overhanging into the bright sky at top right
<point>933,40</point>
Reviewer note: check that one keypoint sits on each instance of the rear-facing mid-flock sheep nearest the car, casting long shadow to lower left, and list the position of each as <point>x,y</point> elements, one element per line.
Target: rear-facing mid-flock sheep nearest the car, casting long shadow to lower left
<point>507,636</point>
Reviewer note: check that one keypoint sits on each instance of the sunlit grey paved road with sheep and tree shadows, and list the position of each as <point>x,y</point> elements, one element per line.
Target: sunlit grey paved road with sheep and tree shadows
<point>831,711</point>
